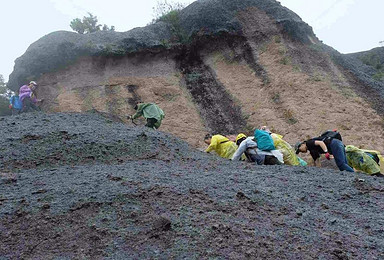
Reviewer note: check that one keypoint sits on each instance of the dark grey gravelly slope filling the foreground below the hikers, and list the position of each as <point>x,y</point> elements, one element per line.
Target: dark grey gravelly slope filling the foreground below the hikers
<point>151,196</point>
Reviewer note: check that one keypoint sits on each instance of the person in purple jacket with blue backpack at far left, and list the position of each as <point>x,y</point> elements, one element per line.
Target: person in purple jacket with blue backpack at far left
<point>25,99</point>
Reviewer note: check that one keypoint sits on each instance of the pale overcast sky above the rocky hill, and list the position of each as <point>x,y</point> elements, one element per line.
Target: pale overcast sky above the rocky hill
<point>346,25</point>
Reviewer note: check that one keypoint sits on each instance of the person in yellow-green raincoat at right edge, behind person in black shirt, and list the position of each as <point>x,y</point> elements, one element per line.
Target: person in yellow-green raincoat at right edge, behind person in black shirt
<point>364,160</point>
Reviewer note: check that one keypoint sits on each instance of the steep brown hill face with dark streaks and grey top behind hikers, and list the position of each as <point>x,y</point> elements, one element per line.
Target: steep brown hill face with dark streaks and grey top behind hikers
<point>240,64</point>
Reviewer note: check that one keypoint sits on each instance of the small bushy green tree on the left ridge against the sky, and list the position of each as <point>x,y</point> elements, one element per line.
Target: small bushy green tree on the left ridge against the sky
<point>89,25</point>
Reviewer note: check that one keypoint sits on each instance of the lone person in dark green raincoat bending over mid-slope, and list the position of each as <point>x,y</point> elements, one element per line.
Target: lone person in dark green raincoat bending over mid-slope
<point>150,111</point>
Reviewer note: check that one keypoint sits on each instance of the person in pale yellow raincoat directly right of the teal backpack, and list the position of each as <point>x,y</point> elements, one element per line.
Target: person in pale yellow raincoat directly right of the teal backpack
<point>289,155</point>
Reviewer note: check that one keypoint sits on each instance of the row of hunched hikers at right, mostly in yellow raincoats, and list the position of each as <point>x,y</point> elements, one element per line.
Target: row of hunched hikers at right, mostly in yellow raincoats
<point>267,148</point>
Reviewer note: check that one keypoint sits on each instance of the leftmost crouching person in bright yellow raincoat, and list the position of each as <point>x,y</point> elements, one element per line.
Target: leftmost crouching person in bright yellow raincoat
<point>221,145</point>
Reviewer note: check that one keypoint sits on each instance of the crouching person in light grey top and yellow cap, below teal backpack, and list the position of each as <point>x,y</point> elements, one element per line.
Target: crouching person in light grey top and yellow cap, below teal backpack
<point>248,147</point>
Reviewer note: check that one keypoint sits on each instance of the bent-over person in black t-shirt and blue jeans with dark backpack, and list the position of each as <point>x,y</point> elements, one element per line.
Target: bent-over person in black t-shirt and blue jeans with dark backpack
<point>325,145</point>
